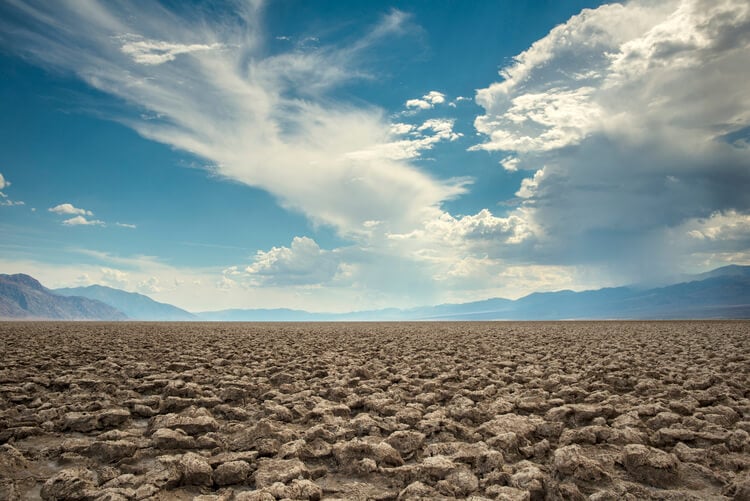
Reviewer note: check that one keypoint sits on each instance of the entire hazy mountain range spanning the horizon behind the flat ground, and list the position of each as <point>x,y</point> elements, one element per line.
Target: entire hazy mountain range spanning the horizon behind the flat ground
<point>720,293</point>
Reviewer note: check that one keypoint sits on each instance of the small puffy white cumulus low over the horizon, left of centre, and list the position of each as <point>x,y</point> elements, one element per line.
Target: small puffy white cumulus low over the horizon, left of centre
<point>302,263</point>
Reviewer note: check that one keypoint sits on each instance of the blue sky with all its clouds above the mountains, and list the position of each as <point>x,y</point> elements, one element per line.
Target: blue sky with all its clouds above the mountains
<point>336,156</point>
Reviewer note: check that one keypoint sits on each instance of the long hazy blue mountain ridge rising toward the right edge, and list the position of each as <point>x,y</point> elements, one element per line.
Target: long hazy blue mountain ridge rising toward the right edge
<point>720,293</point>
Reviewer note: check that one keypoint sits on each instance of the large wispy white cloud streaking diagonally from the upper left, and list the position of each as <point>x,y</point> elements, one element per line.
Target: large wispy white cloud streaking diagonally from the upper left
<point>268,120</point>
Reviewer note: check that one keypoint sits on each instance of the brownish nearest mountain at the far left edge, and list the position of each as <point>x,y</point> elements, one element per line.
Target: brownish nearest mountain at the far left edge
<point>23,297</point>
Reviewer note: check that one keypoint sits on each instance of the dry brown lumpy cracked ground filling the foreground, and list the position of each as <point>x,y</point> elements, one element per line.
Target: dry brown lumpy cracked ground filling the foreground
<point>509,411</point>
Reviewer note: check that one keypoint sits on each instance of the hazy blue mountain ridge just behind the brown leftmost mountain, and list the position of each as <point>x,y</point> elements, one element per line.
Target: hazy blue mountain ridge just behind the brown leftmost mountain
<point>135,306</point>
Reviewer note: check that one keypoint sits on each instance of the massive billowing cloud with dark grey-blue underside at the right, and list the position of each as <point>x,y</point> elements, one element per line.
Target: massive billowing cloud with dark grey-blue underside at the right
<point>631,118</point>
